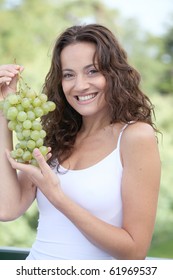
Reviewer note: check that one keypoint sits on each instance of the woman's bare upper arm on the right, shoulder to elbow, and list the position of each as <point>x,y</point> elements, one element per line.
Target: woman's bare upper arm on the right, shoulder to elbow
<point>140,184</point>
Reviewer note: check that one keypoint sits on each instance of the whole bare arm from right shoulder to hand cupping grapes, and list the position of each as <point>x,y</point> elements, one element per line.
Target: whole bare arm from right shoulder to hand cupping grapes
<point>140,187</point>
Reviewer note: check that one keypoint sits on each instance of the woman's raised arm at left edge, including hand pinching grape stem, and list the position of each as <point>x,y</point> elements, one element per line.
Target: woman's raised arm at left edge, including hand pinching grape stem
<point>16,191</point>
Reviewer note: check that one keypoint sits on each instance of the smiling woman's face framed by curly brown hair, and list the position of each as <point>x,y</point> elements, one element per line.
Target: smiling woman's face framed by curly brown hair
<point>82,83</point>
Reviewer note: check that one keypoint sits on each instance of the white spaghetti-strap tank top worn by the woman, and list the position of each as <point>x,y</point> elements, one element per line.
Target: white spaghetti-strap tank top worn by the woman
<point>98,190</point>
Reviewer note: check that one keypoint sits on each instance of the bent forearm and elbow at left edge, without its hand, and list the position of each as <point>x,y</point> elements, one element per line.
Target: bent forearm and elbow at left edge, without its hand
<point>16,190</point>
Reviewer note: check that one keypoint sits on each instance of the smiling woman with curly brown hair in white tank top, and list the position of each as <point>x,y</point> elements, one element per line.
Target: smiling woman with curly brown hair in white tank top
<point>97,194</point>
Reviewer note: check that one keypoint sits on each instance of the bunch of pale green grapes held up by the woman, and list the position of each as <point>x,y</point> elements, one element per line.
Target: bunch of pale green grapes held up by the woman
<point>24,110</point>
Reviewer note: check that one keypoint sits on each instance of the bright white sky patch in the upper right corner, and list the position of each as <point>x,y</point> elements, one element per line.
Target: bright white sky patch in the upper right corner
<point>151,14</point>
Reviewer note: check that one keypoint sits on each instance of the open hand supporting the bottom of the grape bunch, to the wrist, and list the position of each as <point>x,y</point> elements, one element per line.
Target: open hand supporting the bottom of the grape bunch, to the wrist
<point>42,177</point>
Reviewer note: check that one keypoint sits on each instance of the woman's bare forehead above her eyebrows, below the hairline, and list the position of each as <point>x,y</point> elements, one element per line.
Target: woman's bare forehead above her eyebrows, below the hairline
<point>78,53</point>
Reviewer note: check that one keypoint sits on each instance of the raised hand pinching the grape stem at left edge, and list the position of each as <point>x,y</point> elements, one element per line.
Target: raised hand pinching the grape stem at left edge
<point>8,79</point>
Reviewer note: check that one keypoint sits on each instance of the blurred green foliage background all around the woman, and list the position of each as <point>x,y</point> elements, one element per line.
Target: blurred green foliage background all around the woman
<point>28,31</point>
